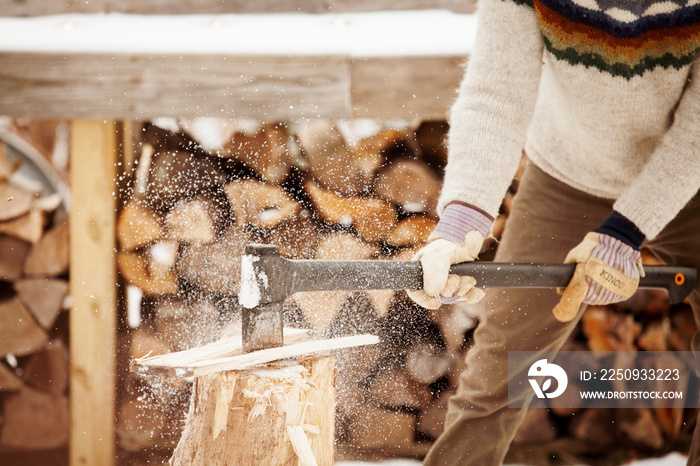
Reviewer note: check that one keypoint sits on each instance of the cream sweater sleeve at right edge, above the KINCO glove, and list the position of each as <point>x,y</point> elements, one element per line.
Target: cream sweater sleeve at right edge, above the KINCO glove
<point>671,177</point>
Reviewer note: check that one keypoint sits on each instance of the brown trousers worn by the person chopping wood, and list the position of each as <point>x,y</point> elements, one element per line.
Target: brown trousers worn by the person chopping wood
<point>548,218</point>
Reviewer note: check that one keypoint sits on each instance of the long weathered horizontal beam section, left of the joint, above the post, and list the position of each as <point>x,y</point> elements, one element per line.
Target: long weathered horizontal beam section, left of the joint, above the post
<point>139,87</point>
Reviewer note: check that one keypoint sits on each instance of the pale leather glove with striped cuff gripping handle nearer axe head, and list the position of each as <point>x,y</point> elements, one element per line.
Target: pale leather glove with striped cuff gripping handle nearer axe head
<point>458,237</point>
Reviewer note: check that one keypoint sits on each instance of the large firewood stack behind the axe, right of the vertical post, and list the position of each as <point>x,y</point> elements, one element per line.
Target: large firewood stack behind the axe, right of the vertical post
<point>329,190</point>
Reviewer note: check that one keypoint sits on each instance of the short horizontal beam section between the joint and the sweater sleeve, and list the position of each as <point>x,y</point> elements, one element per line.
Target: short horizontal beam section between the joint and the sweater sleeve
<point>405,87</point>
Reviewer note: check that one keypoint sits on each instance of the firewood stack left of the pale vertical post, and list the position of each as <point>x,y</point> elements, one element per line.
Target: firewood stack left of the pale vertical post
<point>34,360</point>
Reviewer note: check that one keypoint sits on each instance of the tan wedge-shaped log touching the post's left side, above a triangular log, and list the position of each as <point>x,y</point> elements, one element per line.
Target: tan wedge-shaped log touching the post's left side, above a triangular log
<point>49,256</point>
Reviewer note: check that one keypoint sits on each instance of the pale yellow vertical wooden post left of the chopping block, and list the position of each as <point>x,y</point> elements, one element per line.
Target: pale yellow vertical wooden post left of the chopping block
<point>93,290</point>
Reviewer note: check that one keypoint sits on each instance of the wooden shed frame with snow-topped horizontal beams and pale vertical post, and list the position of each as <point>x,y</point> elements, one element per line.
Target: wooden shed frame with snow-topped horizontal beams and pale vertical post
<point>101,91</point>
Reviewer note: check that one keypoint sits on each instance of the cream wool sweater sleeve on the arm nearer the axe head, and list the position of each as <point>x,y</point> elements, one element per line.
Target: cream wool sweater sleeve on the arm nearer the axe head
<point>489,119</point>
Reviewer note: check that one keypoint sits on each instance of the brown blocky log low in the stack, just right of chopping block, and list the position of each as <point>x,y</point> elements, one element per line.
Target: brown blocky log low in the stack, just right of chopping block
<point>380,428</point>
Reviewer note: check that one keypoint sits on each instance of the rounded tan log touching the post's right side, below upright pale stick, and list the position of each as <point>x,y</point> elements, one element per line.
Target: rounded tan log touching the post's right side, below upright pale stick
<point>138,225</point>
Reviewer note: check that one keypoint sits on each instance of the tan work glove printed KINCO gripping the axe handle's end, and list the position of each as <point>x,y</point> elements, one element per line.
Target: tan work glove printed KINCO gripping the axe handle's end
<point>608,270</point>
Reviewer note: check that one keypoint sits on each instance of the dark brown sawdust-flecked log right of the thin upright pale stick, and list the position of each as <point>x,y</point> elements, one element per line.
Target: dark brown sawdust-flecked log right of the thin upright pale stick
<point>178,175</point>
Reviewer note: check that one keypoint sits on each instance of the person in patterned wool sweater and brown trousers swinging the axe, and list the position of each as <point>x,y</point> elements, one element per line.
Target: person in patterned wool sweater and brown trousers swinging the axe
<point>604,98</point>
